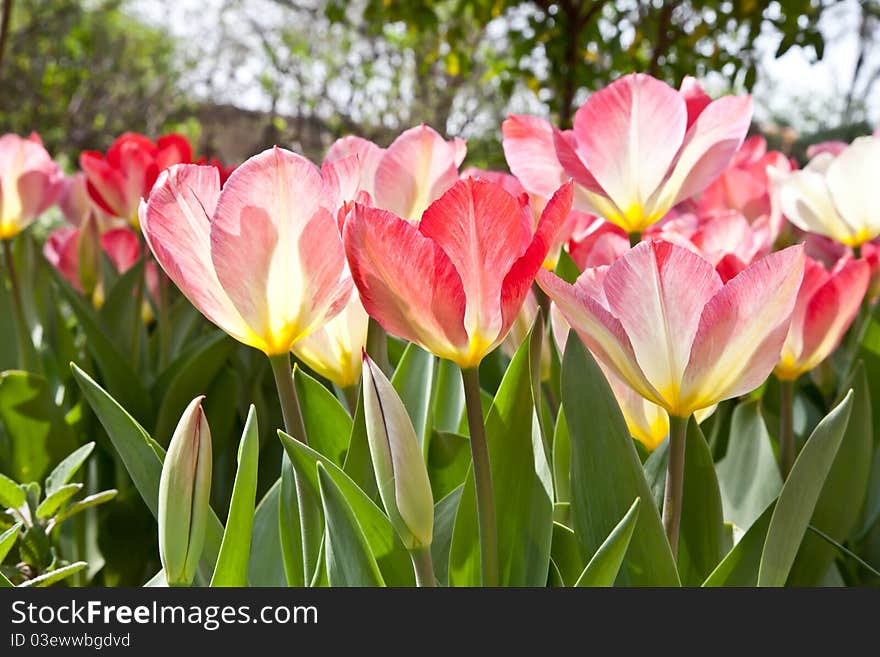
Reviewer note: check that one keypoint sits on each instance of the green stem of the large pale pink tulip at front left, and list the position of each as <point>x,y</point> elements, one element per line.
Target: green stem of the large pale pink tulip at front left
<point>296,428</point>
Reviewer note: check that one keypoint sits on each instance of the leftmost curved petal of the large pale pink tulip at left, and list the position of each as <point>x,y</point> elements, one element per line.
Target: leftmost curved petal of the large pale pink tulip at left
<point>176,224</point>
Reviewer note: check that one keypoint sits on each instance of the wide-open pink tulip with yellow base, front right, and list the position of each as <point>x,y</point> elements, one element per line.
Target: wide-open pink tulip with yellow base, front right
<point>661,319</point>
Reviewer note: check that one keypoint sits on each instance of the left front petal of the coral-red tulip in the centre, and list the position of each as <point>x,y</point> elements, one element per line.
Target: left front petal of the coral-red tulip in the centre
<point>406,281</point>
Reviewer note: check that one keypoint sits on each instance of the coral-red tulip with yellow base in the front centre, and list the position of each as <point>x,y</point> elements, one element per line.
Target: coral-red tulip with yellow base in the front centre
<point>455,281</point>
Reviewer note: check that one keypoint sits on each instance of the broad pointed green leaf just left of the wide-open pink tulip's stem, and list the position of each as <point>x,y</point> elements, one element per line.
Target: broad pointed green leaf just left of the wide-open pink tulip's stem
<point>607,474</point>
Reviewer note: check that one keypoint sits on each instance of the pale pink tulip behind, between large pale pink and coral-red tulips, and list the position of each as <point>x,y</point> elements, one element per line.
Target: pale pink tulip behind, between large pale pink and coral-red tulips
<point>405,178</point>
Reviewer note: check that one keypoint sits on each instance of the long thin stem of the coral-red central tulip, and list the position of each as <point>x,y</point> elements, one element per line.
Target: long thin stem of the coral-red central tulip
<point>482,477</point>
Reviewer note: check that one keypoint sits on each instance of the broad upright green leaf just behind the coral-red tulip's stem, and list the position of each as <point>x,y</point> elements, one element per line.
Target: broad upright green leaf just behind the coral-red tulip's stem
<point>522,484</point>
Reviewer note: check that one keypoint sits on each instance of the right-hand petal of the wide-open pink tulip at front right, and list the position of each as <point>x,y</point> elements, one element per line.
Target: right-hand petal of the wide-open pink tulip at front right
<point>742,330</point>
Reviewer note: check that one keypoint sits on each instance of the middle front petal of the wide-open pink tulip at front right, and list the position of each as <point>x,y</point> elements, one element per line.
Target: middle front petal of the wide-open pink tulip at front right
<point>657,291</point>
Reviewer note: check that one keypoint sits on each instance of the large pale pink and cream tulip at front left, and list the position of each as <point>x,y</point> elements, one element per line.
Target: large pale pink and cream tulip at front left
<point>262,258</point>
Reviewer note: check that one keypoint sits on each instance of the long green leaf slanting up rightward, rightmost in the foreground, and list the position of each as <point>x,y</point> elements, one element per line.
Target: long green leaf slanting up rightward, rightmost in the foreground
<point>799,495</point>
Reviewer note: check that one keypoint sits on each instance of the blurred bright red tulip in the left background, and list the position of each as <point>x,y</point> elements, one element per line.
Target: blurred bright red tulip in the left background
<point>118,181</point>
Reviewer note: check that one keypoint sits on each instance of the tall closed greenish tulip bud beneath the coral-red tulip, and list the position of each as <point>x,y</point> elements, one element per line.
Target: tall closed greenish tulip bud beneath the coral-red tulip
<point>397,460</point>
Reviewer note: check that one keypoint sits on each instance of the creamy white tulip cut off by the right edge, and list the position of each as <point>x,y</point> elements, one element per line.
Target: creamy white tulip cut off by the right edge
<point>834,195</point>
